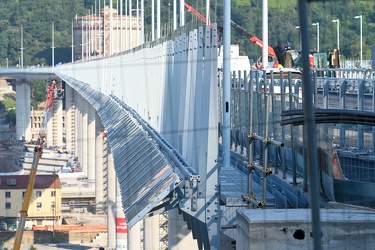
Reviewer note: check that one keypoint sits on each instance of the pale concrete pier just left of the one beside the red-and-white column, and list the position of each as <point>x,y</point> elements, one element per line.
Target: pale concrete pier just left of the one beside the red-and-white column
<point>99,164</point>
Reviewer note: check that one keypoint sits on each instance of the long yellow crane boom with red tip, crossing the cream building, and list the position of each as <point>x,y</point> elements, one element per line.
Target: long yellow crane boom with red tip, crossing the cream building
<point>38,151</point>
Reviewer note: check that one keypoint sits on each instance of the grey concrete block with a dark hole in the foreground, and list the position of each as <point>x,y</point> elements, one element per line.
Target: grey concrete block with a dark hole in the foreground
<point>292,229</point>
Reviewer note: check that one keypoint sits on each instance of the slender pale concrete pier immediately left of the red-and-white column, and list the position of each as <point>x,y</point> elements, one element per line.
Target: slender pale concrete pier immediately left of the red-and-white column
<point>111,201</point>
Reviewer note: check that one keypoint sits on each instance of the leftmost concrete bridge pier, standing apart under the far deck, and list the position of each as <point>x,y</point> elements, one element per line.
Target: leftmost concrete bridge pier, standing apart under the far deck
<point>23,111</point>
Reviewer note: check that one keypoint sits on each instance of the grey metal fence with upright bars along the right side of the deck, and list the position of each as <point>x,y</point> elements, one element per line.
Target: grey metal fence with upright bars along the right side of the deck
<point>261,110</point>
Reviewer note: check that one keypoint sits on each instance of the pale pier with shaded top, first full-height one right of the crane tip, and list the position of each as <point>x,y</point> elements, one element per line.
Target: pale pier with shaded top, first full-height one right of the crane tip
<point>69,119</point>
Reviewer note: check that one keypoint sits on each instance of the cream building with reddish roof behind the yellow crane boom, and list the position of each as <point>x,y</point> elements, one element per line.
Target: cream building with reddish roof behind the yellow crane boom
<point>45,204</point>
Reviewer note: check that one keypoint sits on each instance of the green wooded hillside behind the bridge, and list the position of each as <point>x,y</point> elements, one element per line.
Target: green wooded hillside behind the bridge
<point>37,17</point>
